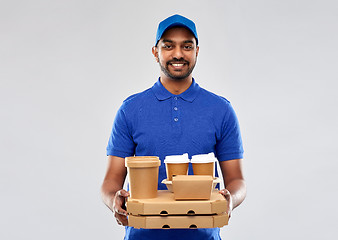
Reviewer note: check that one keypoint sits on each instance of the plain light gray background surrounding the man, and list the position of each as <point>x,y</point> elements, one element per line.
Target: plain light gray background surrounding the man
<point>66,66</point>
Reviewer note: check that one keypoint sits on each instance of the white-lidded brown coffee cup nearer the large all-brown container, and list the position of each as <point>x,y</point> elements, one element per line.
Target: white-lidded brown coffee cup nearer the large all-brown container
<point>176,165</point>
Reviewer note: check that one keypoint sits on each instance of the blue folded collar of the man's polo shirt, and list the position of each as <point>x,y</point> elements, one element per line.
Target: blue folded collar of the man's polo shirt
<point>162,93</point>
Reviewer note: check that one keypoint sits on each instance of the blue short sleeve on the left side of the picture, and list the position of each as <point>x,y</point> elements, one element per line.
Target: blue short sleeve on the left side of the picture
<point>120,143</point>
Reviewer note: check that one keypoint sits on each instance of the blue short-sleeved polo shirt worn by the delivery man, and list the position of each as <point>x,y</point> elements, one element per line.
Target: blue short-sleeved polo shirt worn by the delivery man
<point>156,122</point>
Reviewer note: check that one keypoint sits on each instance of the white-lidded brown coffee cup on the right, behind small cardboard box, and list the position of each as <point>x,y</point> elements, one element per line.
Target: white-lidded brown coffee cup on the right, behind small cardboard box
<point>204,164</point>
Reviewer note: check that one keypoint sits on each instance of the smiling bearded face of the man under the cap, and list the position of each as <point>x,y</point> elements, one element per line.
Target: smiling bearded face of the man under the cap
<point>176,53</point>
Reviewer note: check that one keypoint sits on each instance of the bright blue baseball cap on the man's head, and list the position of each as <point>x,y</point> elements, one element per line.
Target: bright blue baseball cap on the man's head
<point>175,21</point>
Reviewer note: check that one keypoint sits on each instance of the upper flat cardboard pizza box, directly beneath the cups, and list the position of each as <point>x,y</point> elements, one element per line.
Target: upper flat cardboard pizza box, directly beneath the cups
<point>165,204</point>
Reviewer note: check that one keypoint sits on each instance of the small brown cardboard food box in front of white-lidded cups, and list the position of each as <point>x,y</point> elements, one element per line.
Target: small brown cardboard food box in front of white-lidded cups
<point>192,187</point>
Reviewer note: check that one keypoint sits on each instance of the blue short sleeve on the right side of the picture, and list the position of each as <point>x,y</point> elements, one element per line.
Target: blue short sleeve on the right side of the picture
<point>229,146</point>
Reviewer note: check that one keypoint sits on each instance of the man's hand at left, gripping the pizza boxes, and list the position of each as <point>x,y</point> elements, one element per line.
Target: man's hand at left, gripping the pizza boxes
<point>119,209</point>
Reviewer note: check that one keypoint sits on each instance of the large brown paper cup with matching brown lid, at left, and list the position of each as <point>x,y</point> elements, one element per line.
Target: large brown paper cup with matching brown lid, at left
<point>143,176</point>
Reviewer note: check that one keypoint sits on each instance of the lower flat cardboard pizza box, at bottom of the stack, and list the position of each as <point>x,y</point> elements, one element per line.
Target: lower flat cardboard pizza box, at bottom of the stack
<point>160,222</point>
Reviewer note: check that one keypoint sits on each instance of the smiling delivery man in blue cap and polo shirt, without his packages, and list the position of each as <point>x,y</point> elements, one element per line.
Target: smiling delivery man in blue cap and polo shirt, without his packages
<point>173,117</point>
